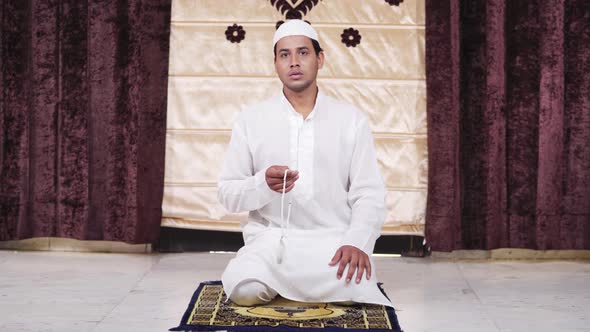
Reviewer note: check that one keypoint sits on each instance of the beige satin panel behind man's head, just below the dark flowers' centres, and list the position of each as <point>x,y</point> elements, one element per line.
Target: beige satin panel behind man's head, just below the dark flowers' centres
<point>201,50</point>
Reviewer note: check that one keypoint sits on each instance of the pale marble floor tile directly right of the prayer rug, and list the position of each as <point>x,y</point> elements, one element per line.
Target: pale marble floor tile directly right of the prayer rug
<point>432,296</point>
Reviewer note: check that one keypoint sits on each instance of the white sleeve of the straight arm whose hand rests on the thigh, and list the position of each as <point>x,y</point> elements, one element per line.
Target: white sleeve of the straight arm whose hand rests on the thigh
<point>366,193</point>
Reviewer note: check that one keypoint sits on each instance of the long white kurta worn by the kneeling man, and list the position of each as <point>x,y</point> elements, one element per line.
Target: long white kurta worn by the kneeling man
<point>338,200</point>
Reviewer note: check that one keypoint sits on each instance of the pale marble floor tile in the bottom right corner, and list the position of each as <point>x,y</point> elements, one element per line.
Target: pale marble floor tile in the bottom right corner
<point>535,296</point>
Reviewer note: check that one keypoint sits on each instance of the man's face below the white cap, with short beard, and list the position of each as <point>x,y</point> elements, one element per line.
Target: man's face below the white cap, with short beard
<point>296,62</point>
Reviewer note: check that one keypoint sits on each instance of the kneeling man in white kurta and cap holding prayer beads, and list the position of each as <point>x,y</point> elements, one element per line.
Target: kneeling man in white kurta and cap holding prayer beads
<point>316,153</point>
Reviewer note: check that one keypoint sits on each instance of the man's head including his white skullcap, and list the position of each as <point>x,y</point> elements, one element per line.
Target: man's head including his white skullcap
<point>298,55</point>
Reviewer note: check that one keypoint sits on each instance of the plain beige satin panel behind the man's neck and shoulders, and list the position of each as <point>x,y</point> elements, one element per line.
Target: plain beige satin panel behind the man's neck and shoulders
<point>202,102</point>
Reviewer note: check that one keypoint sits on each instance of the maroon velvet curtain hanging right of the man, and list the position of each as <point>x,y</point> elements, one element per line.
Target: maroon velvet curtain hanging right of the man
<point>509,124</point>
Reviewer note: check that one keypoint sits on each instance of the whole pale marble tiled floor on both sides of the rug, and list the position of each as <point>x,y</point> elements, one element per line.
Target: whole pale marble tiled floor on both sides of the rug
<point>53,291</point>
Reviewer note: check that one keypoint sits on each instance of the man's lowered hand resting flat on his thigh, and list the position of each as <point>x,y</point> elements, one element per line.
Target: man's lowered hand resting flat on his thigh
<point>358,260</point>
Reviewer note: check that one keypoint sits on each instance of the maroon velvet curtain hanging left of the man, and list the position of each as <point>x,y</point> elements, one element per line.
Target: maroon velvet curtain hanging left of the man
<point>83,118</point>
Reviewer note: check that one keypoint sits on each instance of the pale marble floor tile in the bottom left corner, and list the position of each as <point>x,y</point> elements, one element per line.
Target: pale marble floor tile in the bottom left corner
<point>53,291</point>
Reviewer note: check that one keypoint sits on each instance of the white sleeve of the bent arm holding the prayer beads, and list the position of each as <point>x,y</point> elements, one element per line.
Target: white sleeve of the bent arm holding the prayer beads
<point>239,189</point>
